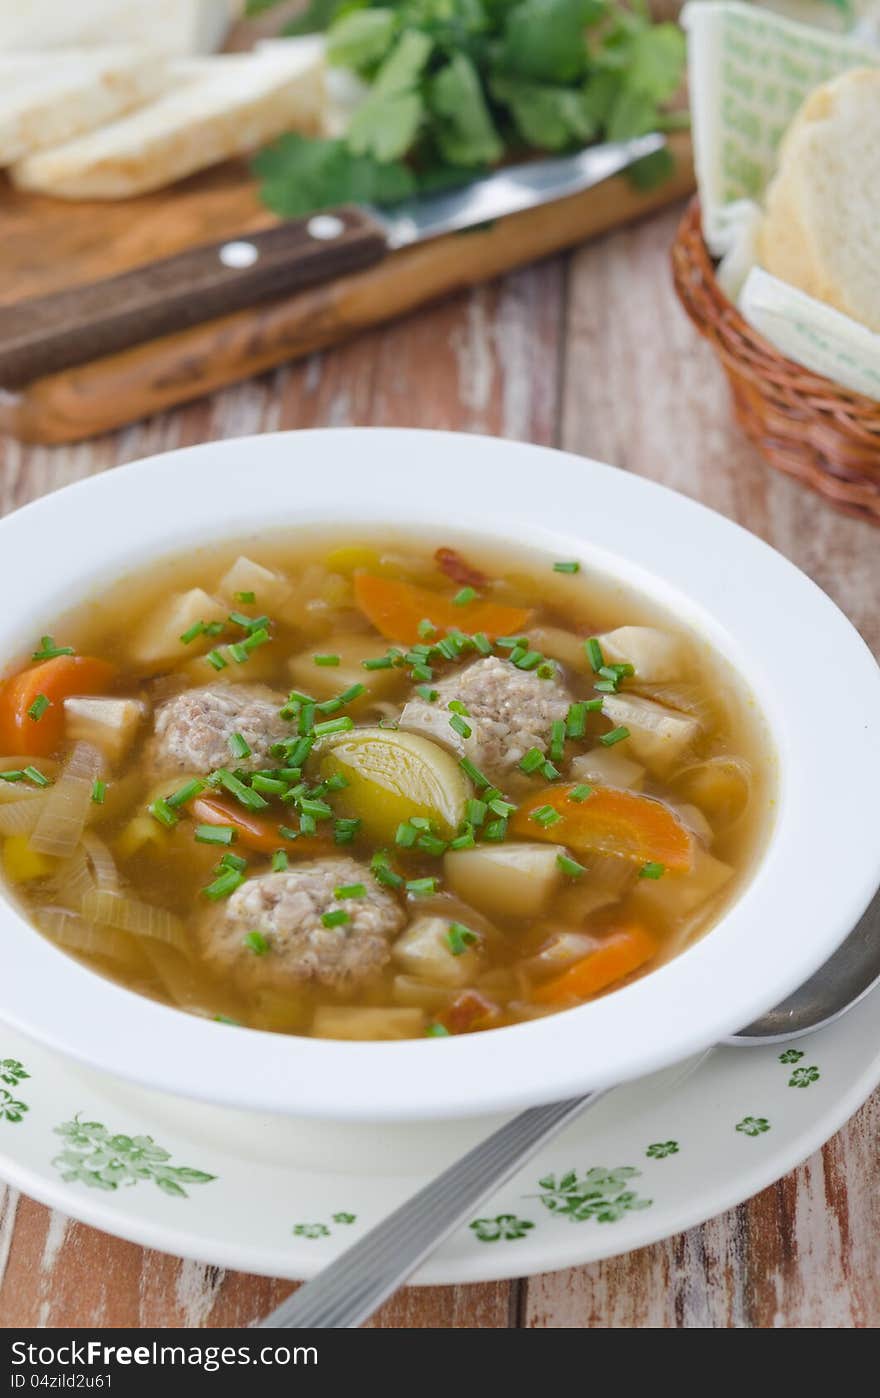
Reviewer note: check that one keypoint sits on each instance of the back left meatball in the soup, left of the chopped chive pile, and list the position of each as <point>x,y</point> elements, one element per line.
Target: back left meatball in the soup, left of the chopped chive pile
<point>194,729</point>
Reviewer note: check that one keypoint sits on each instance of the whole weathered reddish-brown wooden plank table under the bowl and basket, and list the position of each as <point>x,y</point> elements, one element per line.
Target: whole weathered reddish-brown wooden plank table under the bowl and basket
<point>590,353</point>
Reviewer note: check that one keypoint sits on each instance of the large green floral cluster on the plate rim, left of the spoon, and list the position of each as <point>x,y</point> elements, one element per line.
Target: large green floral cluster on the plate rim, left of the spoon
<point>103,1161</point>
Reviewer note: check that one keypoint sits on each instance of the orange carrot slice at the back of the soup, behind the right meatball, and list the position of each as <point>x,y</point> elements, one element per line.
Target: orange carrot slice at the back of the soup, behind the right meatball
<point>397,609</point>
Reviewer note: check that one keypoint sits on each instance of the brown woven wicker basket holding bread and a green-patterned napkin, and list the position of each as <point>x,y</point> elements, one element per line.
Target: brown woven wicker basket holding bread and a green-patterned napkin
<point>802,423</point>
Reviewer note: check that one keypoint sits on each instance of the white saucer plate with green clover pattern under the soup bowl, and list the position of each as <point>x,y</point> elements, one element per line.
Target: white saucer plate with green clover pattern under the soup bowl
<point>283,1197</point>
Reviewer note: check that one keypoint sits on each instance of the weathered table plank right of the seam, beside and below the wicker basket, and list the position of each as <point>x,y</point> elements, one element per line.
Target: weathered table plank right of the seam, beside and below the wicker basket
<point>643,391</point>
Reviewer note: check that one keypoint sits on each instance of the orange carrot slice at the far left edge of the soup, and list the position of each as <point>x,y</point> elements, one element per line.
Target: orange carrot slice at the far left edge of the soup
<point>55,680</point>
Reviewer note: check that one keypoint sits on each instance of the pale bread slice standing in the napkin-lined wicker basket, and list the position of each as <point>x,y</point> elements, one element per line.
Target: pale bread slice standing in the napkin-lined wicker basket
<point>822,224</point>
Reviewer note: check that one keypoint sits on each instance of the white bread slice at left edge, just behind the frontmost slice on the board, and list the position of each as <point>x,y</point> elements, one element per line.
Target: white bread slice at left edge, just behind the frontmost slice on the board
<point>48,99</point>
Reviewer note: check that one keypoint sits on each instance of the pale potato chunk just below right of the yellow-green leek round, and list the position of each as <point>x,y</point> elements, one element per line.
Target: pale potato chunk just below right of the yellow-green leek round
<point>511,880</point>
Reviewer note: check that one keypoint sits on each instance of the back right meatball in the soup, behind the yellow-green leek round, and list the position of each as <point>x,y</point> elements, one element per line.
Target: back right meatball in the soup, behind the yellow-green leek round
<point>510,711</point>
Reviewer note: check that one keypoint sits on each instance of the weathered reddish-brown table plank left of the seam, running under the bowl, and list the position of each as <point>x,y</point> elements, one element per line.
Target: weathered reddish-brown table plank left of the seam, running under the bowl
<point>486,361</point>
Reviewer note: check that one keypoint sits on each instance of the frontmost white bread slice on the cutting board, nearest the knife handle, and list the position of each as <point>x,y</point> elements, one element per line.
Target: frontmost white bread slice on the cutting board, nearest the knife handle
<point>216,108</point>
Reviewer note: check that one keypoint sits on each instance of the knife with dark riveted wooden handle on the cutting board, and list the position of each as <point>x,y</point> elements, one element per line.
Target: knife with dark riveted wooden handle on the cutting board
<point>44,335</point>
